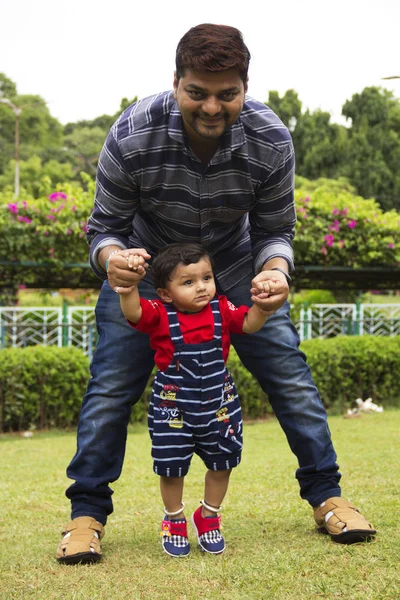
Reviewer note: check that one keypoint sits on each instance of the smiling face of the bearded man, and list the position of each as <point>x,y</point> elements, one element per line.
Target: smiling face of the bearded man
<point>209,102</point>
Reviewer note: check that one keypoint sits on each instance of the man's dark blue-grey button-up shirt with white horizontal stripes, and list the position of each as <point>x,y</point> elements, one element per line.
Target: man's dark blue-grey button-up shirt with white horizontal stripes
<point>152,190</point>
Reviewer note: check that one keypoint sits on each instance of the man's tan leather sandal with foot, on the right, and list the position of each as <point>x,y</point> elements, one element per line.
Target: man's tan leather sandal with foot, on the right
<point>342,521</point>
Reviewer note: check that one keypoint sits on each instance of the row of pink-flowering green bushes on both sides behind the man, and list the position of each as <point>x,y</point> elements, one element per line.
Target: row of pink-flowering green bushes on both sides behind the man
<point>335,227</point>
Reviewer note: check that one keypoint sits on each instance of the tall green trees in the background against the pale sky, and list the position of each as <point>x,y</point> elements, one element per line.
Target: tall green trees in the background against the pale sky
<point>366,151</point>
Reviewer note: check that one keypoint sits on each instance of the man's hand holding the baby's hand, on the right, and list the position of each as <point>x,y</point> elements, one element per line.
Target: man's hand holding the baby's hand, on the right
<point>269,291</point>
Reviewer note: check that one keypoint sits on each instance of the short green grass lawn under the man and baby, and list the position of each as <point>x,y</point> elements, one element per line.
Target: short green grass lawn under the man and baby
<point>273,550</point>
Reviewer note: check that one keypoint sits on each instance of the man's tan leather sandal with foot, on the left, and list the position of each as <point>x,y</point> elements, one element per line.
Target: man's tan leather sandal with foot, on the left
<point>81,541</point>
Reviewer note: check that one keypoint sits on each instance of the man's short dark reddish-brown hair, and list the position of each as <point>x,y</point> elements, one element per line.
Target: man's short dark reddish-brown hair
<point>210,47</point>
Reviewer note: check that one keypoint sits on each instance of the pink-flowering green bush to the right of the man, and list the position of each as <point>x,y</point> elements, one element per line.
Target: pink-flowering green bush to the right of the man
<point>336,227</point>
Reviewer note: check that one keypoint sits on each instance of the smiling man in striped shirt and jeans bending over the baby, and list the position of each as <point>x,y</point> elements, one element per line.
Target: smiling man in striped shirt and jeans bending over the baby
<point>199,164</point>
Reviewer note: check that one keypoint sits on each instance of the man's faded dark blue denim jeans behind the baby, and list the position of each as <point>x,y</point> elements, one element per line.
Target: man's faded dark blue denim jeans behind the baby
<point>120,369</point>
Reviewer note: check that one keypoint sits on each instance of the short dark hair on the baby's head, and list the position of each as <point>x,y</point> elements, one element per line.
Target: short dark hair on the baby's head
<point>167,259</point>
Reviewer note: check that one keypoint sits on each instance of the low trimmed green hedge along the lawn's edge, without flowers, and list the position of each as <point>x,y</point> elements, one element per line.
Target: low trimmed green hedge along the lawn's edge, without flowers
<point>42,387</point>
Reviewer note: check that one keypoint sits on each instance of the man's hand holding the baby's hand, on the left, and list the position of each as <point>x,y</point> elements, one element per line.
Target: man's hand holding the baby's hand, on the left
<point>126,268</point>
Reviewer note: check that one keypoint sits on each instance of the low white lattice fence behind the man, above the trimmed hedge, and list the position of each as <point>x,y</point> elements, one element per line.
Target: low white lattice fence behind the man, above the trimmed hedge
<point>75,325</point>
